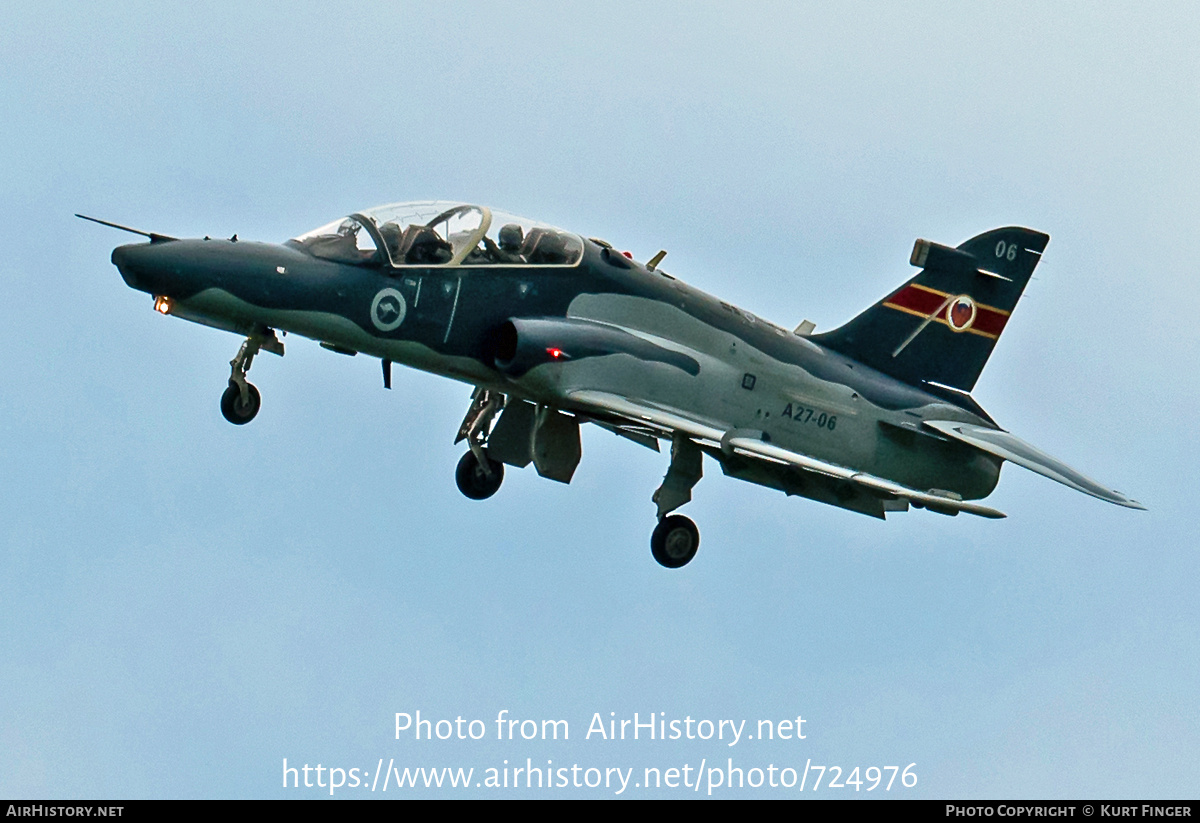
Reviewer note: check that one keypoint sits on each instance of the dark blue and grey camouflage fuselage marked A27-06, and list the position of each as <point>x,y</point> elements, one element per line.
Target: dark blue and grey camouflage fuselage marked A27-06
<point>539,333</point>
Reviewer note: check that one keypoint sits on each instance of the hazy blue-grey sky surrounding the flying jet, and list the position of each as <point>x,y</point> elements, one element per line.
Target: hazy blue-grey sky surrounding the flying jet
<point>185,604</point>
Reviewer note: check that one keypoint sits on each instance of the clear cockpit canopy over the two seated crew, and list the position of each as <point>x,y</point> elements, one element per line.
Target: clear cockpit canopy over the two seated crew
<point>439,233</point>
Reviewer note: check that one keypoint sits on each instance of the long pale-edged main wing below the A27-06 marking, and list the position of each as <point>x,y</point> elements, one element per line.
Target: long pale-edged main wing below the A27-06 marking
<point>749,444</point>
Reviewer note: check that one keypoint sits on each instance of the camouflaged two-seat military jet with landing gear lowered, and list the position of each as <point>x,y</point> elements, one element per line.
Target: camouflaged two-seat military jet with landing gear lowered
<point>556,331</point>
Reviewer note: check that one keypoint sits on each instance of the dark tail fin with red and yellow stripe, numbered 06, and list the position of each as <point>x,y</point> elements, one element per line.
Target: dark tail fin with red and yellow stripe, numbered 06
<point>943,325</point>
